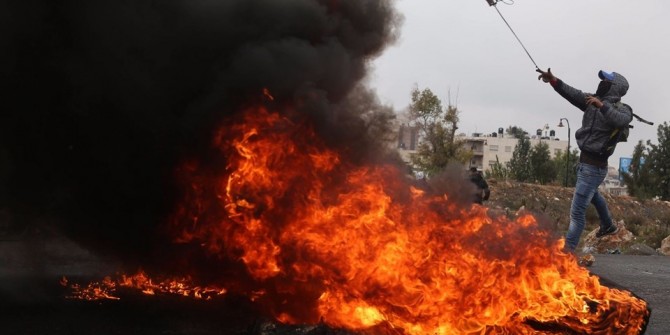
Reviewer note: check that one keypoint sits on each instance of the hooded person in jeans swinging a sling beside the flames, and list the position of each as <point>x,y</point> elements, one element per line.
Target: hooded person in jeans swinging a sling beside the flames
<point>604,121</point>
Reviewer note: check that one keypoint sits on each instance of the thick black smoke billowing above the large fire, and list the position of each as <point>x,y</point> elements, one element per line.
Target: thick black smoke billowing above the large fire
<point>102,100</point>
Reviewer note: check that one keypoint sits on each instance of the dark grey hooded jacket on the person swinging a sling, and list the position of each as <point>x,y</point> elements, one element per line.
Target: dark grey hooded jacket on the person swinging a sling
<point>598,124</point>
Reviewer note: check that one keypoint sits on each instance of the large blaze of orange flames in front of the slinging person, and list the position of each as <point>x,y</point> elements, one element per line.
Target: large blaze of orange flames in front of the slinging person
<point>363,248</point>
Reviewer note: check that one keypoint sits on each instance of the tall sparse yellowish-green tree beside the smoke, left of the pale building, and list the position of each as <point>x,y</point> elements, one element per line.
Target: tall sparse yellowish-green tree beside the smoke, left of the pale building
<point>437,127</point>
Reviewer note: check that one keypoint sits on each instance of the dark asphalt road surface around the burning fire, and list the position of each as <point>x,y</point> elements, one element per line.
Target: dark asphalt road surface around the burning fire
<point>31,300</point>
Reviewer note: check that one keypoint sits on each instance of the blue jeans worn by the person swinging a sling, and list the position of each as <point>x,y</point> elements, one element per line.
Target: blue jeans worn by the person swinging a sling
<point>589,177</point>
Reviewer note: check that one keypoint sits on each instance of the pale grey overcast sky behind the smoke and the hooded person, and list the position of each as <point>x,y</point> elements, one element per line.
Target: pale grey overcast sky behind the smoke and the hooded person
<point>463,46</point>
